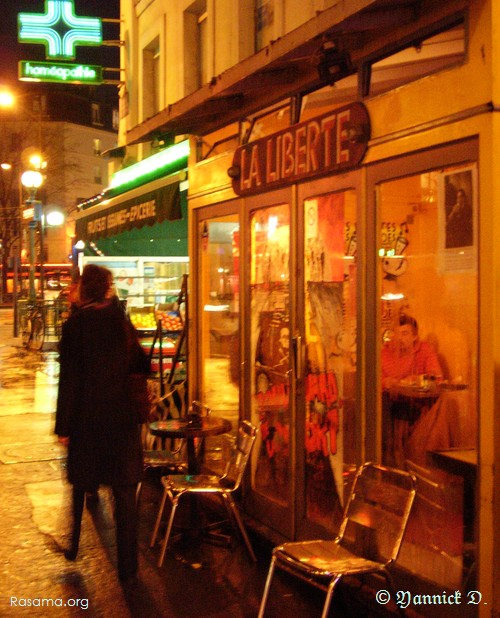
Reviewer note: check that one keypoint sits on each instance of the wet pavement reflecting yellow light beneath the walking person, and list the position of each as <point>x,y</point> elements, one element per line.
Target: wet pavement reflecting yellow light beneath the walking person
<point>197,579</point>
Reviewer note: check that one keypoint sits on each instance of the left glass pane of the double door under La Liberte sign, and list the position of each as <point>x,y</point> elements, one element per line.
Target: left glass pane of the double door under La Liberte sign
<point>270,363</point>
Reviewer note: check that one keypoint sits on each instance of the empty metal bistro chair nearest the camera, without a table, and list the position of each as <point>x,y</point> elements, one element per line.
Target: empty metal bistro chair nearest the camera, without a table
<point>368,541</point>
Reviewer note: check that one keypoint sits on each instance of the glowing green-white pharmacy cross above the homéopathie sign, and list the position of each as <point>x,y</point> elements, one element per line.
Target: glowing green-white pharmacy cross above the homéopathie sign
<point>59,29</point>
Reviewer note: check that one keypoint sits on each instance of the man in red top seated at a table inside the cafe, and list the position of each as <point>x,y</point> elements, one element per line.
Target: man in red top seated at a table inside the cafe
<point>403,360</point>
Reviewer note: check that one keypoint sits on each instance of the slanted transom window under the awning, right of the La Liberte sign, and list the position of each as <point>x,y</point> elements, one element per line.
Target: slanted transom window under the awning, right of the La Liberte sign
<point>419,58</point>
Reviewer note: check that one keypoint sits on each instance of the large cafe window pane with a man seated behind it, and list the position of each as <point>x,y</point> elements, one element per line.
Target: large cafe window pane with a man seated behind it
<point>428,338</point>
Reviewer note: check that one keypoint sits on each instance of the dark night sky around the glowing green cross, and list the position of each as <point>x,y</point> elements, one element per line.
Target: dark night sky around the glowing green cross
<point>11,51</point>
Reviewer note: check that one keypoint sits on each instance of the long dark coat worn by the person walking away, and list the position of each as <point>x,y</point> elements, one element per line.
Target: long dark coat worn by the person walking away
<point>93,407</point>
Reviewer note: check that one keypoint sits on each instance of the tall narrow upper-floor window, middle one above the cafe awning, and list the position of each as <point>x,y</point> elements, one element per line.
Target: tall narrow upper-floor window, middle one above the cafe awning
<point>195,46</point>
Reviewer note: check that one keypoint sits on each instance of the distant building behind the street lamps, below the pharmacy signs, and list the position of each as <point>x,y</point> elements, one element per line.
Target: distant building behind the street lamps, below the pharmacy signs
<point>69,131</point>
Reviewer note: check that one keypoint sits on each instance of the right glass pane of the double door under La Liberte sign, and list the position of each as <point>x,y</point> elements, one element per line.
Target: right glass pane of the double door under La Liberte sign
<point>330,272</point>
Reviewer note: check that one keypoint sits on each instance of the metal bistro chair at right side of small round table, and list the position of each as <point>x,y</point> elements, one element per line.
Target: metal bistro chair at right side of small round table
<point>176,486</point>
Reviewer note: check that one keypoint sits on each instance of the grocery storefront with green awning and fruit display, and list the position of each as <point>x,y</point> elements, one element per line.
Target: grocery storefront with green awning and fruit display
<point>140,235</point>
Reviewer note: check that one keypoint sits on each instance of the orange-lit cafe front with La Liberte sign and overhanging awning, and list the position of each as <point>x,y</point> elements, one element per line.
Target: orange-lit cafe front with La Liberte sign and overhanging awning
<point>323,214</point>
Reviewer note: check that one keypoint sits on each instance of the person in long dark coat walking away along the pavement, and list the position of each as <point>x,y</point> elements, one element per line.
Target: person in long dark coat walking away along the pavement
<point>94,418</point>
